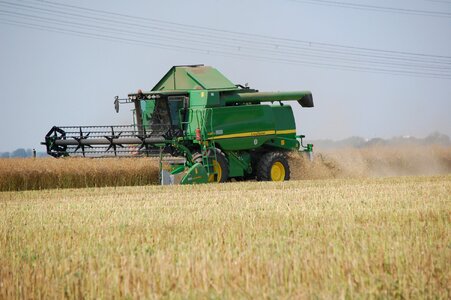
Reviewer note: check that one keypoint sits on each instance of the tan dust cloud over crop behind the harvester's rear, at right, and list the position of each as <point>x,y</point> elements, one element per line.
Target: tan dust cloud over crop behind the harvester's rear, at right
<point>376,161</point>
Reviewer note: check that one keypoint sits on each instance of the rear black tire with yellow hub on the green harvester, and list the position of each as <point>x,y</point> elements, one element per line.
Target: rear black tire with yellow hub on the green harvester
<point>273,166</point>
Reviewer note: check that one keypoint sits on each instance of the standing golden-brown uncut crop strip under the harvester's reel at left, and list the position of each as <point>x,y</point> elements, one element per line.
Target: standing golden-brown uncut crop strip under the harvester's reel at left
<point>43,173</point>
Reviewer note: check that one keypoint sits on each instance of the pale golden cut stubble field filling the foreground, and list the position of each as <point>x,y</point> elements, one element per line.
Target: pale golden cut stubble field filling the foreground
<point>341,238</point>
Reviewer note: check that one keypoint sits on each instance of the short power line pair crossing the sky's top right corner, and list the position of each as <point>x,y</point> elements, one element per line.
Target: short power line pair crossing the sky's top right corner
<point>367,7</point>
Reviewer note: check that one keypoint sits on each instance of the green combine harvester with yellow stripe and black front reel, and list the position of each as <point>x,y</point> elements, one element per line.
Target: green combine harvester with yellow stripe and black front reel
<point>203,127</point>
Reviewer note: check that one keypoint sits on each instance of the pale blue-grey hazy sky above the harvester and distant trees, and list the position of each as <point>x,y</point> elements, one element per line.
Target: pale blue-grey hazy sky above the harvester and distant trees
<point>375,68</point>
